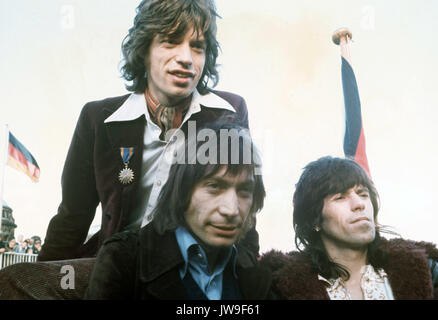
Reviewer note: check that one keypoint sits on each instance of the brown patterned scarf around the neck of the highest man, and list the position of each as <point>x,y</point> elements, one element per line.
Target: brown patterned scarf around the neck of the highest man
<point>166,117</point>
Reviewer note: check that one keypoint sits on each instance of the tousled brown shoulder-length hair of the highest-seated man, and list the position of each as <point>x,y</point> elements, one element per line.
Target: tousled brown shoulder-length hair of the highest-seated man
<point>171,18</point>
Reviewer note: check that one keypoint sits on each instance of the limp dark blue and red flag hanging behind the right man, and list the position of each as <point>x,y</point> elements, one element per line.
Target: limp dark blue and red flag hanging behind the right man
<point>354,138</point>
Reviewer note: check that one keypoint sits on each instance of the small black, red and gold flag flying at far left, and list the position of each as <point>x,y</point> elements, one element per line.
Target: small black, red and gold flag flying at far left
<point>21,159</point>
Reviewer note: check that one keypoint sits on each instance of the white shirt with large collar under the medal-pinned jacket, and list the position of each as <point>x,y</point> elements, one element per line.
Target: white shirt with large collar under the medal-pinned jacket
<point>155,169</point>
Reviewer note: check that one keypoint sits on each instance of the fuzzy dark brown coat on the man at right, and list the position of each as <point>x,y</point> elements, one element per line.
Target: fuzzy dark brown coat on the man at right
<point>408,267</point>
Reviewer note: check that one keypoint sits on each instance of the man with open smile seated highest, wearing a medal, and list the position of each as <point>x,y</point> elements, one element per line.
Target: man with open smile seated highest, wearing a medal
<point>117,151</point>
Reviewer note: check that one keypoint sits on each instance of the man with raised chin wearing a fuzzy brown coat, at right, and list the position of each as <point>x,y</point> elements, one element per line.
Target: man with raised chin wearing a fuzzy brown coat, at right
<point>341,252</point>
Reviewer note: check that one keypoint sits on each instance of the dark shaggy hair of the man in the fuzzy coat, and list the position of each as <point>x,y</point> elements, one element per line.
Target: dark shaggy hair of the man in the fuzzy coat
<point>321,178</point>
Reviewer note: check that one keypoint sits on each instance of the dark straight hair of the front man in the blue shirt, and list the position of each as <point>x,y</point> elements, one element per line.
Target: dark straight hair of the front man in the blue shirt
<point>184,176</point>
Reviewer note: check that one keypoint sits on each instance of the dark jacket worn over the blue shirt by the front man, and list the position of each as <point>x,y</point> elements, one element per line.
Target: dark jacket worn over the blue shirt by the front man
<point>145,265</point>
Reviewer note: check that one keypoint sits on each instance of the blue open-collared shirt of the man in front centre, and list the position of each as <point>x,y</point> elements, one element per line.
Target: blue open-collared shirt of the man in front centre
<point>209,281</point>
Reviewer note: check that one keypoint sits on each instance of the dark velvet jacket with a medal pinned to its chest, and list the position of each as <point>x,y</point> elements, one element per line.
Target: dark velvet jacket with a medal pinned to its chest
<point>91,170</point>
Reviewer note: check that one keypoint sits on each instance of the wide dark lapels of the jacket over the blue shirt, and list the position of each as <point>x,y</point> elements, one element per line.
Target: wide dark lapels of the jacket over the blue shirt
<point>160,259</point>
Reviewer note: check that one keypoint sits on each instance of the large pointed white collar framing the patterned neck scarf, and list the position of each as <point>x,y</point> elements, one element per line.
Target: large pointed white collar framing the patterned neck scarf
<point>135,106</point>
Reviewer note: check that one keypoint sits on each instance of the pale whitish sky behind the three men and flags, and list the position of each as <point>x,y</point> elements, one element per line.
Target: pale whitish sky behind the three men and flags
<point>57,55</point>
